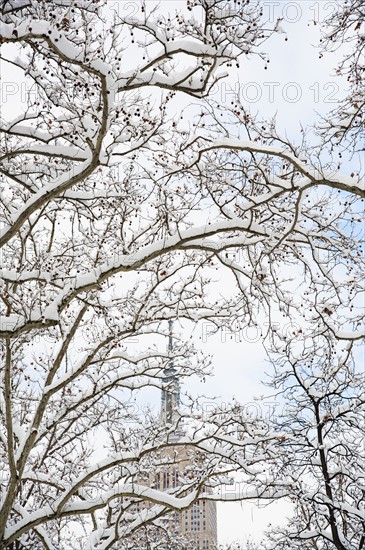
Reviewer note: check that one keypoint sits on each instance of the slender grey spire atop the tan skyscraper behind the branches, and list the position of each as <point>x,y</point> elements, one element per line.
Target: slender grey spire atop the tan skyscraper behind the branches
<point>170,396</point>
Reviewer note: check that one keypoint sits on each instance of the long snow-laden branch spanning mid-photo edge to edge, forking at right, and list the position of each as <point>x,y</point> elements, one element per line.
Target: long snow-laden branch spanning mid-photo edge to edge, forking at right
<point>234,231</point>
